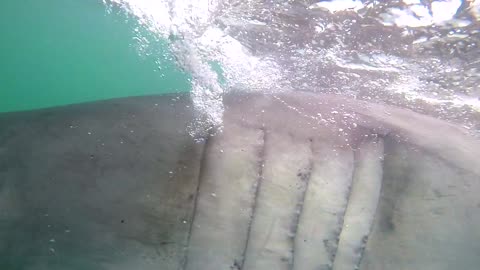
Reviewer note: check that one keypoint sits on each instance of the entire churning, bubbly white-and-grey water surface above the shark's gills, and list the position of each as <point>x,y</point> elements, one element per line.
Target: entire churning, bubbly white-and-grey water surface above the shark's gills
<point>397,52</point>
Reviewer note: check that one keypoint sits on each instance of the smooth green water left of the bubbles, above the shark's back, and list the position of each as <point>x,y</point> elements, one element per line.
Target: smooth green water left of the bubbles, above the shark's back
<point>69,51</point>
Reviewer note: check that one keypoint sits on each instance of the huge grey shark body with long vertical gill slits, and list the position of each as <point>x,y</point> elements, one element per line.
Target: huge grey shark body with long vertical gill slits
<point>120,184</point>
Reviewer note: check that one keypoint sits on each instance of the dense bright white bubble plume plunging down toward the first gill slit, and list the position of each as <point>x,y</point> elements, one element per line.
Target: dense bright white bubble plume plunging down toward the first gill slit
<point>197,42</point>
